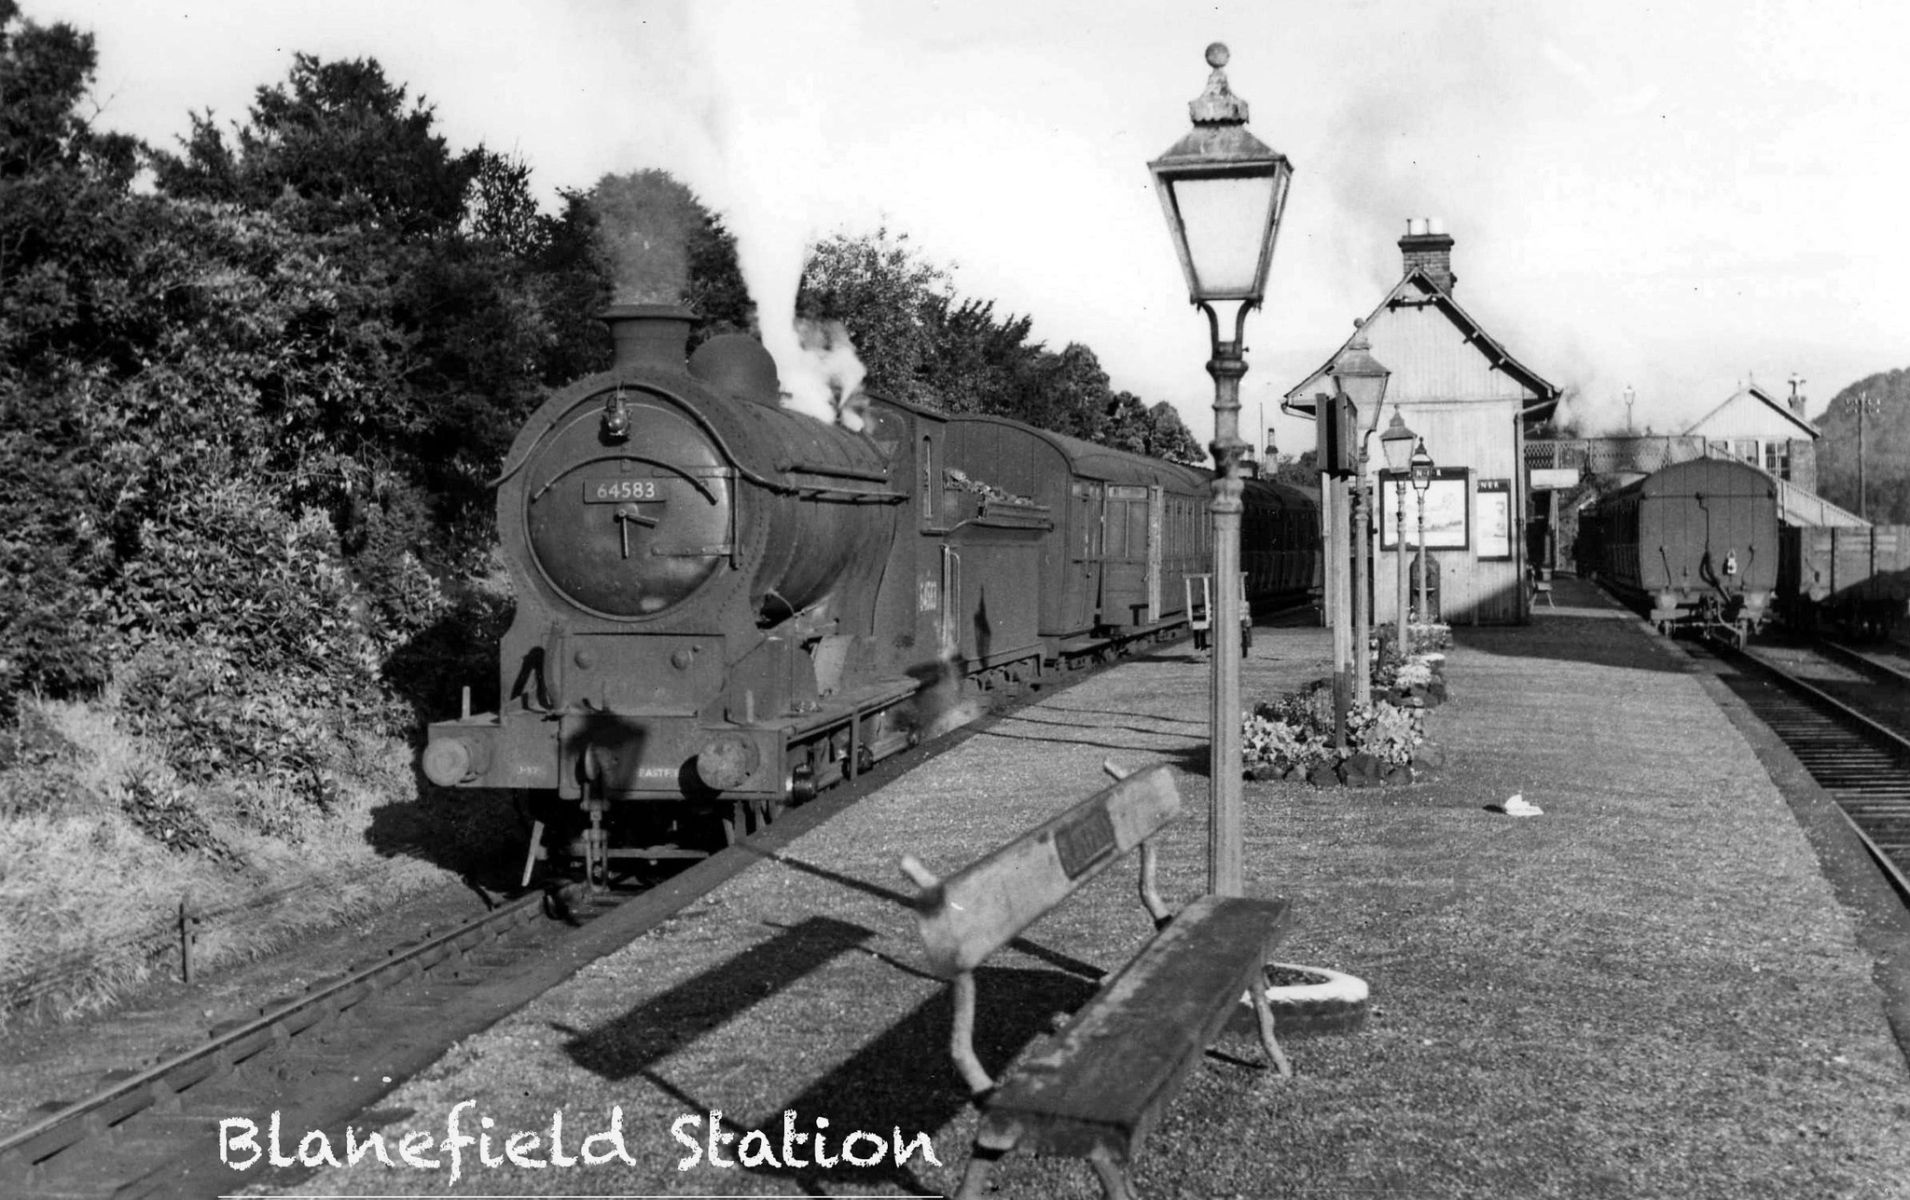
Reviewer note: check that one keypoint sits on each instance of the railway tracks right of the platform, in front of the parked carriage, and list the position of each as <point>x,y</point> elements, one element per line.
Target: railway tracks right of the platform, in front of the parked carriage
<point>1848,729</point>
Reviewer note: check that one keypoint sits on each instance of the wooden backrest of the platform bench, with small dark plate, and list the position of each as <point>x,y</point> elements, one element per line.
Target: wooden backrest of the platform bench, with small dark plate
<point>988,903</point>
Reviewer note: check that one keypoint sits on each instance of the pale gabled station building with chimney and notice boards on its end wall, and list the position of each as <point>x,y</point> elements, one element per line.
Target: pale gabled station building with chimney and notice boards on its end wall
<point>1475,406</point>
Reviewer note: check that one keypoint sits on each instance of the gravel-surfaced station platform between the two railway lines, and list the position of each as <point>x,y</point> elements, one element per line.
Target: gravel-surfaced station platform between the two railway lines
<point>1647,991</point>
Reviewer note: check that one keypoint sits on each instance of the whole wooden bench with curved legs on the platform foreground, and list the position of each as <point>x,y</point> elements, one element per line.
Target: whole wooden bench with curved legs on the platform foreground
<point>1101,1084</point>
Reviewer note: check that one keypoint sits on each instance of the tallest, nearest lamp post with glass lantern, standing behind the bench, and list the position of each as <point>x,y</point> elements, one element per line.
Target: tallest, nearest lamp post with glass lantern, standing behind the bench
<point>1223,192</point>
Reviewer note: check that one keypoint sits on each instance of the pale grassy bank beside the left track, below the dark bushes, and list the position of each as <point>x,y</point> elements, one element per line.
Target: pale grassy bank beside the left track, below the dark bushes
<point>100,842</point>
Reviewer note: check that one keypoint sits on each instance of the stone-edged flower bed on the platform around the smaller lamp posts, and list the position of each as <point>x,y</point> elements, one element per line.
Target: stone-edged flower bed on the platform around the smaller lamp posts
<point>1292,739</point>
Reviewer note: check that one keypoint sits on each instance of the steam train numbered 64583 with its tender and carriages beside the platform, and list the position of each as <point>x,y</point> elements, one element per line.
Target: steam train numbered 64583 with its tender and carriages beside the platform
<point>727,607</point>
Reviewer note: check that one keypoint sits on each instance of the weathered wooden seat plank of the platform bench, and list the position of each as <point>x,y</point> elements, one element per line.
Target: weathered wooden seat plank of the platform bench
<point>1105,1081</point>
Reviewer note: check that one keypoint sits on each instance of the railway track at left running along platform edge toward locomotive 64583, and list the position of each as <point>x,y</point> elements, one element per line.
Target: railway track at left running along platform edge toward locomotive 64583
<point>331,1054</point>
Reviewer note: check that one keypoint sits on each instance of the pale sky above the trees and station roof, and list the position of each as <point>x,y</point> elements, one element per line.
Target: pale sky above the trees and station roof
<point>1678,198</point>
